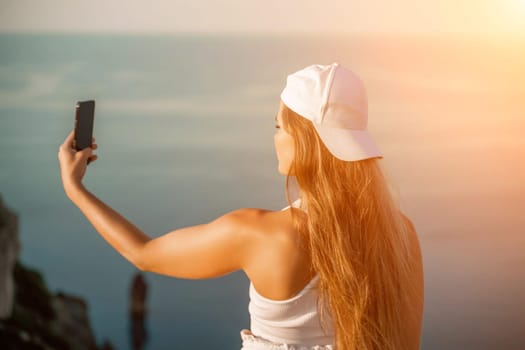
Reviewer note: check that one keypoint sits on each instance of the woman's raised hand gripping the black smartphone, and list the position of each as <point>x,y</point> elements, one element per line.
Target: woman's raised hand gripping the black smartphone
<point>73,163</point>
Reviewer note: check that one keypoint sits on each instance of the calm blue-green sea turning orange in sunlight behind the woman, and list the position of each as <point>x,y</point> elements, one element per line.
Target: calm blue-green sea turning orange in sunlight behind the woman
<point>185,130</point>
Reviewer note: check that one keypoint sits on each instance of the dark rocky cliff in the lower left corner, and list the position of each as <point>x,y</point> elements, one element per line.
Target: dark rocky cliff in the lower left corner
<point>31,316</point>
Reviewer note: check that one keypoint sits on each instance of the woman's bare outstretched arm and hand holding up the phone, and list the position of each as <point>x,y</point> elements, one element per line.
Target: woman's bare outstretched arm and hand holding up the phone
<point>202,251</point>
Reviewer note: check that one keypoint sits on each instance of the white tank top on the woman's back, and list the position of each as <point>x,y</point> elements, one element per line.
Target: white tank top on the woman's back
<point>290,321</point>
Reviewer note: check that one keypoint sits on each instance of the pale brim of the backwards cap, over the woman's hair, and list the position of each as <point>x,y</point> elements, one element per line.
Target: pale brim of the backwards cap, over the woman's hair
<point>348,144</point>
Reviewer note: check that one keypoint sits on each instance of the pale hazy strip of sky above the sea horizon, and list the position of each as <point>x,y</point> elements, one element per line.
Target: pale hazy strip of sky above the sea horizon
<point>264,16</point>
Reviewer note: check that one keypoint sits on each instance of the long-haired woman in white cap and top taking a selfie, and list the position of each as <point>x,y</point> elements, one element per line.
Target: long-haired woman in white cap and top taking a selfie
<point>339,268</point>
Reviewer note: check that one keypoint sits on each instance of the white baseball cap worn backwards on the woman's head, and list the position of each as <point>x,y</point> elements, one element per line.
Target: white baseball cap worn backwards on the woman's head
<point>334,99</point>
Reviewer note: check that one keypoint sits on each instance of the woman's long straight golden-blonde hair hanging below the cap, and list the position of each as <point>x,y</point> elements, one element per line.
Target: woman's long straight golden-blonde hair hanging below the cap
<point>357,239</point>
